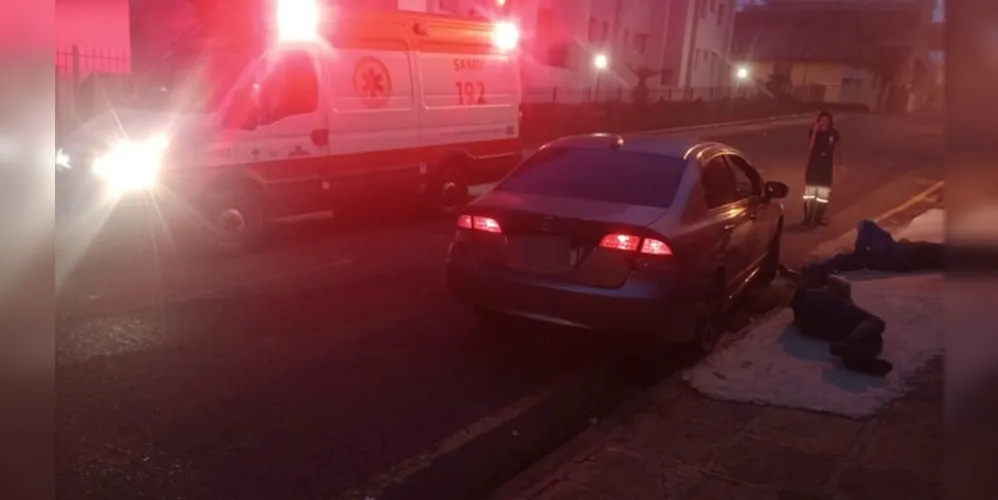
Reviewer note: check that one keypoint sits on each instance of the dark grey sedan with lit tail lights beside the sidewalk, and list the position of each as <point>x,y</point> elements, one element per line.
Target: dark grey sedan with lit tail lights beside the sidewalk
<point>643,233</point>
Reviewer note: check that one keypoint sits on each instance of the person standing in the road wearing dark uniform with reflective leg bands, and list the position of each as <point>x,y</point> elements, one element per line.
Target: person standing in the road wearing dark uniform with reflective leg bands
<point>823,155</point>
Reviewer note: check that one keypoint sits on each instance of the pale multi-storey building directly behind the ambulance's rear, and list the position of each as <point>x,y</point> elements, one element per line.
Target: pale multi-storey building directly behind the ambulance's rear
<point>685,42</point>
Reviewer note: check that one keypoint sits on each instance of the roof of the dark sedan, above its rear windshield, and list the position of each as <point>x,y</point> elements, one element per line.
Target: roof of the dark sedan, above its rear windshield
<point>639,143</point>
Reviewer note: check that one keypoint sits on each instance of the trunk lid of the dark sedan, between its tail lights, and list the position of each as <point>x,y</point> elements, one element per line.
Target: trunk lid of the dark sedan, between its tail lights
<point>559,238</point>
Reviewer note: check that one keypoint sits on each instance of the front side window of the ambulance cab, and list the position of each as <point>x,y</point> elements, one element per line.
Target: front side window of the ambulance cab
<point>290,88</point>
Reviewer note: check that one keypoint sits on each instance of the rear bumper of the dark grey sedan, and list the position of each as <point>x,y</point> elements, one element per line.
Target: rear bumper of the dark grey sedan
<point>640,306</point>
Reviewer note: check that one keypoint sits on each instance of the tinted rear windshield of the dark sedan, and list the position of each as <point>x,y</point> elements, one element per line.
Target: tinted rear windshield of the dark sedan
<point>599,175</point>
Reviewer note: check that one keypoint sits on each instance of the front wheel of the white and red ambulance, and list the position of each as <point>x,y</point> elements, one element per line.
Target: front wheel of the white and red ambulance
<point>234,221</point>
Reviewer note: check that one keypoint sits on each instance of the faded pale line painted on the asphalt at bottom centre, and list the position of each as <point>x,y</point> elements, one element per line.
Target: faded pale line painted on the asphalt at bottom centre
<point>422,461</point>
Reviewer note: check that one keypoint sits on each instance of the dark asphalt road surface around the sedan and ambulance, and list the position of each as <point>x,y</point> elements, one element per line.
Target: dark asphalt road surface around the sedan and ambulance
<point>334,366</point>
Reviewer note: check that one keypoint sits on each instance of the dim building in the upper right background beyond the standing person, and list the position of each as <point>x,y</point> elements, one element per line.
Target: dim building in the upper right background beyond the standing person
<point>850,52</point>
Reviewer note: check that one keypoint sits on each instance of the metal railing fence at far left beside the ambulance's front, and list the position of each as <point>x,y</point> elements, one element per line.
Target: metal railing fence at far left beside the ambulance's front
<point>86,81</point>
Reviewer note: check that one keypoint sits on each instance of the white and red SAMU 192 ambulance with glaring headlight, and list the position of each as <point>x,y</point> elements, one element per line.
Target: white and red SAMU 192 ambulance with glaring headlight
<point>332,108</point>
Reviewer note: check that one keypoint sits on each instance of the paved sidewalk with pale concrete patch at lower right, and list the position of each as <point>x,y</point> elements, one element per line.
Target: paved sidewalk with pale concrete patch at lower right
<point>677,442</point>
